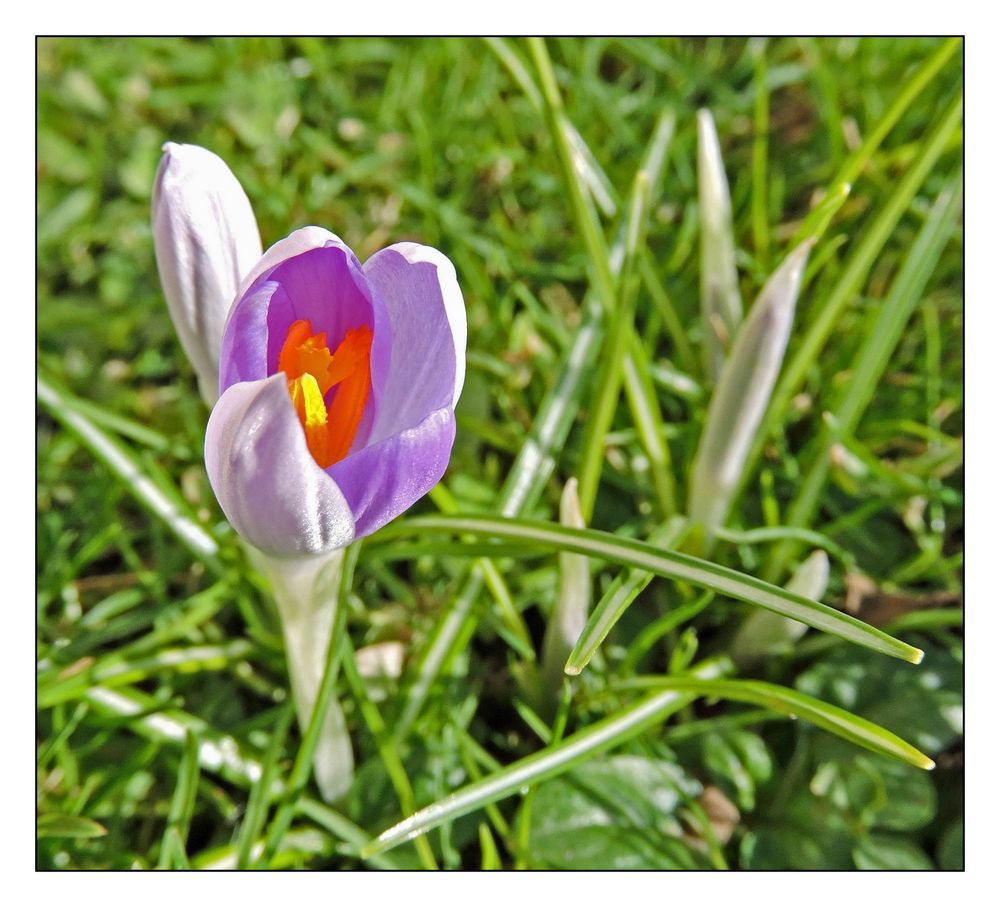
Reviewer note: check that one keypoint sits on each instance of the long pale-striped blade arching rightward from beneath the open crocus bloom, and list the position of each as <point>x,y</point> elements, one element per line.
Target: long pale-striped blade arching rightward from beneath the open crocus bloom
<point>672,565</point>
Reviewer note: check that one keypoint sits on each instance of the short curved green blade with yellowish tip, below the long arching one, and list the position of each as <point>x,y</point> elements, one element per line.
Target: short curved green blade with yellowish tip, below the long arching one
<point>795,704</point>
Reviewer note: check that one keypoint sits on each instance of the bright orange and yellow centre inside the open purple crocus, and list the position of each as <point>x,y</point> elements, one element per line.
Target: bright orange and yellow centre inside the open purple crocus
<point>329,390</point>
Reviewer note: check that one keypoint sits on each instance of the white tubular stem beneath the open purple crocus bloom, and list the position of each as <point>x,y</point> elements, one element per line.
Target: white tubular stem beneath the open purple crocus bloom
<point>305,590</point>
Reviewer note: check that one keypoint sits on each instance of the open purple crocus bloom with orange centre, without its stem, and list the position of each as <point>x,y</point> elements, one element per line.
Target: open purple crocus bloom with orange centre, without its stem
<point>338,385</point>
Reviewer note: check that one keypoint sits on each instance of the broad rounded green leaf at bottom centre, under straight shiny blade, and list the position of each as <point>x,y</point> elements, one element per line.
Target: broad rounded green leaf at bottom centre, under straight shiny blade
<point>613,814</point>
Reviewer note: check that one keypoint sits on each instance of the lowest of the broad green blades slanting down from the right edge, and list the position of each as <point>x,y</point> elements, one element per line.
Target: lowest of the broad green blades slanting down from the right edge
<point>871,360</point>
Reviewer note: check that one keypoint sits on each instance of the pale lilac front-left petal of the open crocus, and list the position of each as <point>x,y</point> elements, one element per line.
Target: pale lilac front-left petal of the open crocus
<point>268,484</point>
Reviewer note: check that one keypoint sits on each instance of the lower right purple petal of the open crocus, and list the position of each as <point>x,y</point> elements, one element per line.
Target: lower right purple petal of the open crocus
<point>386,478</point>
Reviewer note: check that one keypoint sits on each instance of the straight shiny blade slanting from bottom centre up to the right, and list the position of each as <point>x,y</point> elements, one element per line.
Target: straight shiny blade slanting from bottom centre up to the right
<point>533,769</point>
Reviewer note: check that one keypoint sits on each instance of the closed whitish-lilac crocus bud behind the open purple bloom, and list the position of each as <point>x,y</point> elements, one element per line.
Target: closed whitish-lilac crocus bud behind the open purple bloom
<point>206,239</point>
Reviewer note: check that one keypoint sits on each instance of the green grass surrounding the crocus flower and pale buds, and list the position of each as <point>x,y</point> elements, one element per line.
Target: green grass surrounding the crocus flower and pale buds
<point>561,179</point>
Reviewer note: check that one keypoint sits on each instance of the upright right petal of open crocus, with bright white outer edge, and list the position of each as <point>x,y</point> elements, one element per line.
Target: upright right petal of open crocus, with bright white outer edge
<point>419,289</point>
